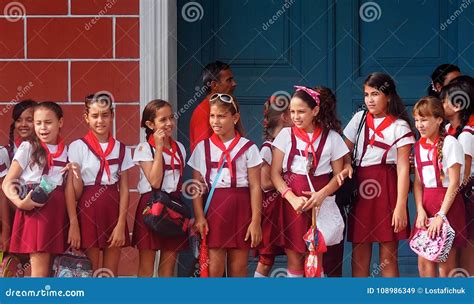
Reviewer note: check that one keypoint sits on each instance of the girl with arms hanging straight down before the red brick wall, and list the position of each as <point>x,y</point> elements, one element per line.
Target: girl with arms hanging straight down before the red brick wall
<point>100,163</point>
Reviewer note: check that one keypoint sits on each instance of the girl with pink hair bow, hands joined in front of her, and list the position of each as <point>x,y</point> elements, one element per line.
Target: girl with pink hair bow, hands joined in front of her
<point>313,144</point>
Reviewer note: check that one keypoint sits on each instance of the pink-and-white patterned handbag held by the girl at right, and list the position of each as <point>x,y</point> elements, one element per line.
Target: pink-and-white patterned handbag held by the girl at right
<point>433,249</point>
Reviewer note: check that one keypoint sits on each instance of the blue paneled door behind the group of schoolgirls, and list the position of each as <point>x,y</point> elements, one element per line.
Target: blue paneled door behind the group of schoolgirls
<point>272,45</point>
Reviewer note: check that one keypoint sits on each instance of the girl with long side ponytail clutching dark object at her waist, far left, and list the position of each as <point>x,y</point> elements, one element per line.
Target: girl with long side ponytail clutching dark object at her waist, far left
<point>41,229</point>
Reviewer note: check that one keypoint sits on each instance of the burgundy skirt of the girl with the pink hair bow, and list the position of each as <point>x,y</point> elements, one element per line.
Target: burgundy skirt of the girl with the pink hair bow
<point>293,226</point>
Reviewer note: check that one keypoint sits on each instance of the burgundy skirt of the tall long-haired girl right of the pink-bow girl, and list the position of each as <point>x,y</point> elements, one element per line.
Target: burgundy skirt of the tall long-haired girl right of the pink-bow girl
<point>370,219</point>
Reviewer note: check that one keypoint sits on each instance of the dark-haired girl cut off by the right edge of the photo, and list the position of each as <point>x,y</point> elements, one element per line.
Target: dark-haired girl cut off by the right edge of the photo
<point>457,99</point>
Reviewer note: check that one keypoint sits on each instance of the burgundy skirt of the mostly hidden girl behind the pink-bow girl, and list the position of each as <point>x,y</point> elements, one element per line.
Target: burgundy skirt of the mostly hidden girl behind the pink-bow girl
<point>270,224</point>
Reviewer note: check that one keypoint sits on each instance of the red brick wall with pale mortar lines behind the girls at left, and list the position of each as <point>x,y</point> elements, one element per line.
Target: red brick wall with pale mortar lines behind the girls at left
<point>63,50</point>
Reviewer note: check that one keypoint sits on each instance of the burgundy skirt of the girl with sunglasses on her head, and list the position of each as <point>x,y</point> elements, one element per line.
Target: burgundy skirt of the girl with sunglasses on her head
<point>228,217</point>
